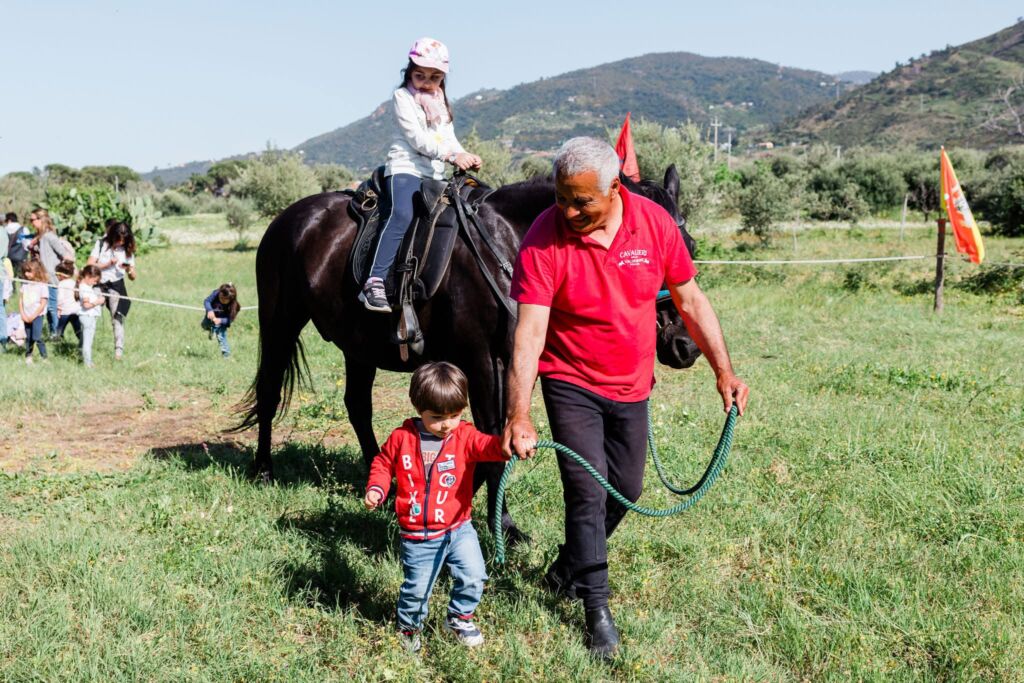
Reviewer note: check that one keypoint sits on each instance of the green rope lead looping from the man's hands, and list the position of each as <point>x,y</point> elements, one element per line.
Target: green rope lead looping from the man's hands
<point>696,493</point>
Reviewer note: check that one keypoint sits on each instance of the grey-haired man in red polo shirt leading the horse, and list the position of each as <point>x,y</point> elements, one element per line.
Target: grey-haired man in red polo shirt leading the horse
<point>587,281</point>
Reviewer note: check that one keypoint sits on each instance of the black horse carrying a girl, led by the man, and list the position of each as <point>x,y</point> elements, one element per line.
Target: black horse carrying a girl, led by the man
<point>304,274</point>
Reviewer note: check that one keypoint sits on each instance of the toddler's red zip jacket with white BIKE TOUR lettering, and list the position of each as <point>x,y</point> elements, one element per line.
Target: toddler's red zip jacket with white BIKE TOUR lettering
<point>432,503</point>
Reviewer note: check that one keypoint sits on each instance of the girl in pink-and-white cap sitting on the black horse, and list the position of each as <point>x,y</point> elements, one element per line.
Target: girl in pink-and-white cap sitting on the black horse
<point>424,142</point>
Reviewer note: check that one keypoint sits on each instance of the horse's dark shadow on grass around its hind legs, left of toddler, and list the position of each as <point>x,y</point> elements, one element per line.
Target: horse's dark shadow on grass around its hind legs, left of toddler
<point>294,464</point>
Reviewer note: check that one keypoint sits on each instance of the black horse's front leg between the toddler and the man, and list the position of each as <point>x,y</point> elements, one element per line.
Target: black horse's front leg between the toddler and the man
<point>487,392</point>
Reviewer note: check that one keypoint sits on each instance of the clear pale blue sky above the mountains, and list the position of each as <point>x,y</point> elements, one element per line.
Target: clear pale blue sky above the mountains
<point>150,84</point>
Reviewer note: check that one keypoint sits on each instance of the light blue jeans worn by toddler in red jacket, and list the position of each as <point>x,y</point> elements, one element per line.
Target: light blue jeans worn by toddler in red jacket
<point>422,562</point>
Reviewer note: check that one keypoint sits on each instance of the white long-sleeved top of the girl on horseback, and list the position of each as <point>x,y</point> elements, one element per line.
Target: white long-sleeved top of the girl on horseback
<point>418,149</point>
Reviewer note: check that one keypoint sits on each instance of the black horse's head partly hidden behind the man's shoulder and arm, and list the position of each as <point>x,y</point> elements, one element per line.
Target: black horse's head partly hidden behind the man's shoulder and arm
<point>675,348</point>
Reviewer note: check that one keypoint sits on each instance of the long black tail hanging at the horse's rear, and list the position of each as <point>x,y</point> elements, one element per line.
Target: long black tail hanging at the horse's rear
<point>282,360</point>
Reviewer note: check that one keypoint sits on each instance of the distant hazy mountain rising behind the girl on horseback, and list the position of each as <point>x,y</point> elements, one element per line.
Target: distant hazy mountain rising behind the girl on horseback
<point>669,89</point>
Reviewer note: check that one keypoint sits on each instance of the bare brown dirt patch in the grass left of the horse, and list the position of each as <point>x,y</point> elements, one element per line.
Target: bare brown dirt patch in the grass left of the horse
<point>110,434</point>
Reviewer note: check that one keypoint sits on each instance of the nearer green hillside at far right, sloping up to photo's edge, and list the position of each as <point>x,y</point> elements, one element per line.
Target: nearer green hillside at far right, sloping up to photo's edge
<point>950,97</point>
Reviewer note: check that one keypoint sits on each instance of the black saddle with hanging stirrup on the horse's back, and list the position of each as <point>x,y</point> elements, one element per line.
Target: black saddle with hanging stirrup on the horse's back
<point>423,260</point>
